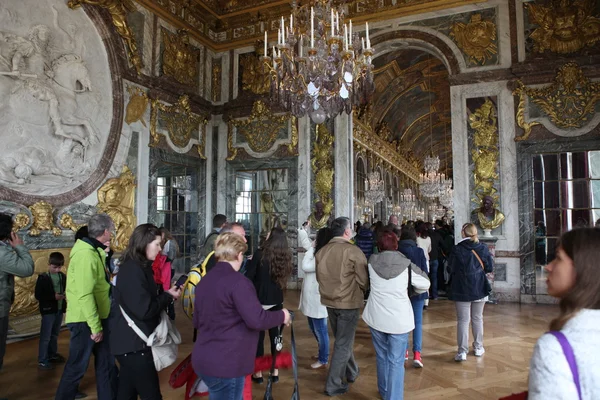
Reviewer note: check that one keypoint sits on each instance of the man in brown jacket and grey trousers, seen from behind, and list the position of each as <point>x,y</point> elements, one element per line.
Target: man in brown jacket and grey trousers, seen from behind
<point>343,277</point>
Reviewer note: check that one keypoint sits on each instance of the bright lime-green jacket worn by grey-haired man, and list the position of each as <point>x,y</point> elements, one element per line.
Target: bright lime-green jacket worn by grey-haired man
<point>87,287</point>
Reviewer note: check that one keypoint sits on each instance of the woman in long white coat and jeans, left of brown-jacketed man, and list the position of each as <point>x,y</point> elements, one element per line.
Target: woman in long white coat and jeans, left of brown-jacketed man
<point>310,299</point>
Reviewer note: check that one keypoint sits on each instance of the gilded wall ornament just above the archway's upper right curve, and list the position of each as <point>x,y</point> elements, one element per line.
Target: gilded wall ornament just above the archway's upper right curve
<point>477,39</point>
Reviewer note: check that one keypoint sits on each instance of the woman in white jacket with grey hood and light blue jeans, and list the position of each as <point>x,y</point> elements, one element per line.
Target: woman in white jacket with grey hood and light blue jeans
<point>389,313</point>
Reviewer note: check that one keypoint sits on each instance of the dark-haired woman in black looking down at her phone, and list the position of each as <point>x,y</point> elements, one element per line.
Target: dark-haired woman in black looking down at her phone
<point>136,294</point>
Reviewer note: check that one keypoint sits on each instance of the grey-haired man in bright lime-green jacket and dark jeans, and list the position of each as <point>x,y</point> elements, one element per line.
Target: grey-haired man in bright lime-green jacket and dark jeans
<point>87,314</point>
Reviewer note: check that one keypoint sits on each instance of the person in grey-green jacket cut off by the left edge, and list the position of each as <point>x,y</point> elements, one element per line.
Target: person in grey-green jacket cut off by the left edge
<point>15,260</point>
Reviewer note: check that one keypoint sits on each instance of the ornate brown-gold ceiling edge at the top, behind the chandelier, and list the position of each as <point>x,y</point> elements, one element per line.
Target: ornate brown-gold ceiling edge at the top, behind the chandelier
<point>227,24</point>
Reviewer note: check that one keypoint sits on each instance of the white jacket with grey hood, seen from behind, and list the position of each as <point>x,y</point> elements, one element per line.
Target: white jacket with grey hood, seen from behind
<point>388,308</point>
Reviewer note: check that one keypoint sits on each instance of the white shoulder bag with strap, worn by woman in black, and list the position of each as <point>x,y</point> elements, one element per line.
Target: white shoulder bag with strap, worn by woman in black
<point>164,341</point>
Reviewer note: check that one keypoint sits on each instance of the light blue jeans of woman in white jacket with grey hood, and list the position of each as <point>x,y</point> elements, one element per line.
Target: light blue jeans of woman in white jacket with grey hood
<point>389,354</point>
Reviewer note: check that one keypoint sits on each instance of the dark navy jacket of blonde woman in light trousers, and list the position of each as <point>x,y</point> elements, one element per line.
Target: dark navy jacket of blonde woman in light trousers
<point>466,274</point>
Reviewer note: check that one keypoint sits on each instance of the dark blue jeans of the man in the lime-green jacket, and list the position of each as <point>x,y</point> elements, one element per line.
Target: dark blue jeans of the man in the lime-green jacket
<point>81,348</point>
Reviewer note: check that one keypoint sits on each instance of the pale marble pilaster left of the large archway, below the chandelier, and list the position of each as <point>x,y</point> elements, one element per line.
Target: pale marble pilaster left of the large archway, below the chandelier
<point>344,172</point>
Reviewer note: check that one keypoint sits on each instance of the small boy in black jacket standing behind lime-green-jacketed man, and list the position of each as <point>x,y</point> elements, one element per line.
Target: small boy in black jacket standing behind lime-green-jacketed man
<point>50,293</point>
